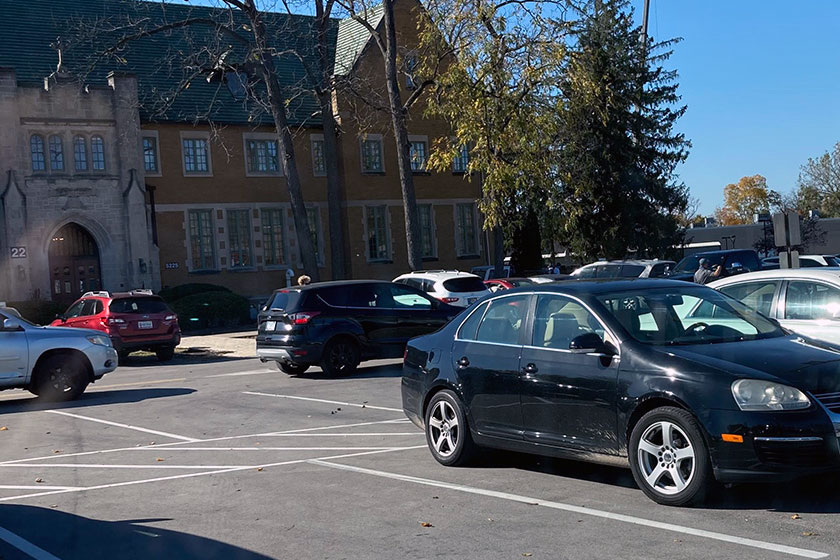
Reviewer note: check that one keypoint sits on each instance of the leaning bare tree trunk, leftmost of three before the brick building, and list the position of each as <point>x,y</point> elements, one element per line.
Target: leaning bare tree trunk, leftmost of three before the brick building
<point>287,150</point>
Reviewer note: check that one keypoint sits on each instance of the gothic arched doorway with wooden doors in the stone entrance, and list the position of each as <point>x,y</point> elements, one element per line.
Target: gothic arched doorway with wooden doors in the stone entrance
<point>74,263</point>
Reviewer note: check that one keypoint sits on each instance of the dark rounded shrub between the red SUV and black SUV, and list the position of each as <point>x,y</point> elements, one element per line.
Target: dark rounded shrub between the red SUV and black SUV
<point>211,310</point>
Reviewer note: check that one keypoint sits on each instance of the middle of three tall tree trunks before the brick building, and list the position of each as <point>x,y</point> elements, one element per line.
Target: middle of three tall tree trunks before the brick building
<point>335,191</point>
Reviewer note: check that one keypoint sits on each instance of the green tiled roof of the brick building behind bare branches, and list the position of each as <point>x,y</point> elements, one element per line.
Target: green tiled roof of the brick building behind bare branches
<point>28,28</point>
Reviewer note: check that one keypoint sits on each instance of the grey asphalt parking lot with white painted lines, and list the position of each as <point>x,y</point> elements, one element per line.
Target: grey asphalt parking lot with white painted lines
<point>233,459</point>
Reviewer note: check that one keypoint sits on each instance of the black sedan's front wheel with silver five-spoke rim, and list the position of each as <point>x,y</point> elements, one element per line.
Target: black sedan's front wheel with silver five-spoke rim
<point>669,458</point>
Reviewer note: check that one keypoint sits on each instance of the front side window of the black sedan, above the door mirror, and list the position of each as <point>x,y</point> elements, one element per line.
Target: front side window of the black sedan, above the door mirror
<point>558,320</point>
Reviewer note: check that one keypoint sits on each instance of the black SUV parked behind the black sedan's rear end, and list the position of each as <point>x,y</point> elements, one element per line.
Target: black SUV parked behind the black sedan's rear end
<point>338,324</point>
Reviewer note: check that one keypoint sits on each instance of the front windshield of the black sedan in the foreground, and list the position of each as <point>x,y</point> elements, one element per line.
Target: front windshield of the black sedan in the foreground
<point>686,316</point>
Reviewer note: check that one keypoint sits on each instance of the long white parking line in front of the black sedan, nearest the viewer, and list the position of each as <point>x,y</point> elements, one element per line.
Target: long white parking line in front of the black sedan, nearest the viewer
<point>580,510</point>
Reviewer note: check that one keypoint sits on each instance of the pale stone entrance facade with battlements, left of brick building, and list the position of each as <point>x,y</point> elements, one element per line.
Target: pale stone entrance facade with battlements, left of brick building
<point>105,197</point>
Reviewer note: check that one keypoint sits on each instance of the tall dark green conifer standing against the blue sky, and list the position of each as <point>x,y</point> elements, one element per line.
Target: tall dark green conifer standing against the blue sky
<point>617,146</point>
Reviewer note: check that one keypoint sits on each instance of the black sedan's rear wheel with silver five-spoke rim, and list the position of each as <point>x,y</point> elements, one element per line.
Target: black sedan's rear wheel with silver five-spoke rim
<point>447,432</point>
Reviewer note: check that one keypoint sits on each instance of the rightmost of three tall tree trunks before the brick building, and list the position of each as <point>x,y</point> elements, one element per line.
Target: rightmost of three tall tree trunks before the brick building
<point>412,226</point>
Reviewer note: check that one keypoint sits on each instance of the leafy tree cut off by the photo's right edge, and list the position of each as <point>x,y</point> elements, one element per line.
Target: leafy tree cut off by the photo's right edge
<point>818,187</point>
